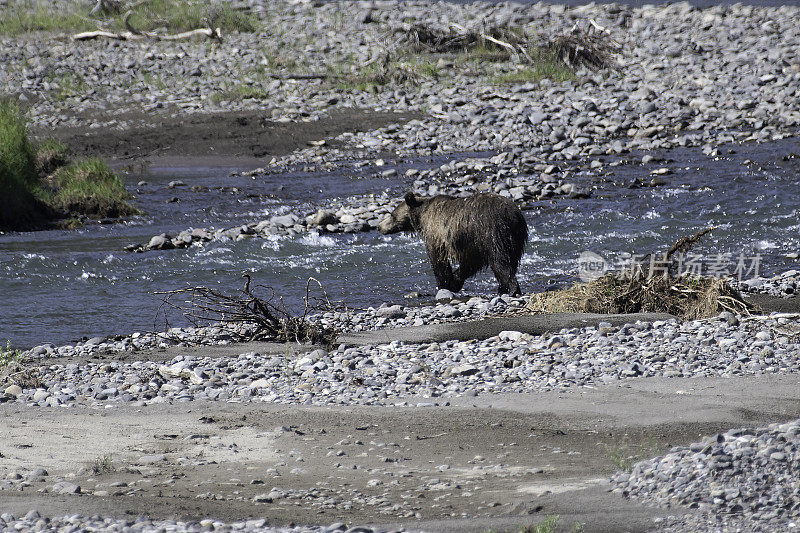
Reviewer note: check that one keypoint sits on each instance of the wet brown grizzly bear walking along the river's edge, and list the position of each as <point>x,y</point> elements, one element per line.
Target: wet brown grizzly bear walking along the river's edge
<point>479,231</point>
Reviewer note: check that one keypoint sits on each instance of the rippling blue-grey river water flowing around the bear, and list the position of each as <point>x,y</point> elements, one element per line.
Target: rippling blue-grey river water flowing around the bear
<point>60,286</point>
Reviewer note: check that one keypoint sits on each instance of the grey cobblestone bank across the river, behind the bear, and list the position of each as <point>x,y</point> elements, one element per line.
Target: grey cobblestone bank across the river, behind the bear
<point>686,77</point>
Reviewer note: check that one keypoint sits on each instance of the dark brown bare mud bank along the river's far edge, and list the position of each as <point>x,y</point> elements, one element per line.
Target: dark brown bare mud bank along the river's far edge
<point>243,138</point>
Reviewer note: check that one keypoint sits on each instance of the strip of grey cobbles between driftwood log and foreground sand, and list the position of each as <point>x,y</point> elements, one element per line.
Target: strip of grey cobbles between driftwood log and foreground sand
<point>386,373</point>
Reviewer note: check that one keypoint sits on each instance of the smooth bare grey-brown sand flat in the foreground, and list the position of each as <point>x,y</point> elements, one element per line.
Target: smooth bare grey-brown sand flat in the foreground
<point>504,460</point>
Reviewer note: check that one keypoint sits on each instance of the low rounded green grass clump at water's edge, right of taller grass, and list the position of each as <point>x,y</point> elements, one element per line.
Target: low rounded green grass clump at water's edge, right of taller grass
<point>90,188</point>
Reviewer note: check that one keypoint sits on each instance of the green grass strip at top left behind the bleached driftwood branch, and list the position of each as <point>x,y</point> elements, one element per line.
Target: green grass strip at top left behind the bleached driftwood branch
<point>25,16</point>
